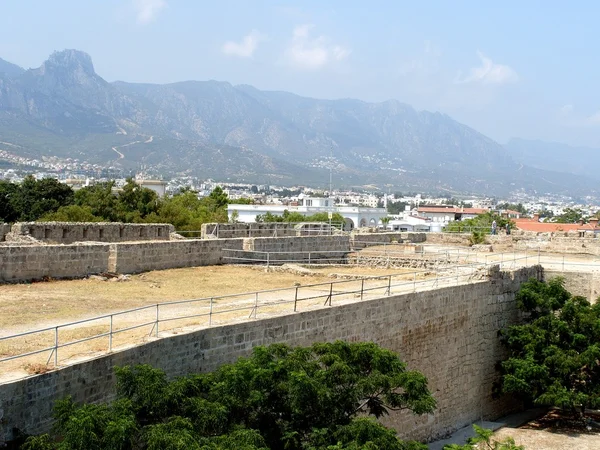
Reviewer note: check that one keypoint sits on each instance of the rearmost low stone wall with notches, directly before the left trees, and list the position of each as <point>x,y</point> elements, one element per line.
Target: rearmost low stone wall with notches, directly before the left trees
<point>69,232</point>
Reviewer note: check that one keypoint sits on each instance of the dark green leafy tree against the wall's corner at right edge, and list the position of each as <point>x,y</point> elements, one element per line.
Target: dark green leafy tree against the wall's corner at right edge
<point>554,359</point>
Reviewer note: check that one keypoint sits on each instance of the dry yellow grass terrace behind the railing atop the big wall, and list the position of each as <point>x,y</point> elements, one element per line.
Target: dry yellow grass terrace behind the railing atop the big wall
<point>25,307</point>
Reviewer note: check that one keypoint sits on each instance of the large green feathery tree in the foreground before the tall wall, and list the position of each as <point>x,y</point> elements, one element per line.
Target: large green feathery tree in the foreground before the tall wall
<point>280,397</point>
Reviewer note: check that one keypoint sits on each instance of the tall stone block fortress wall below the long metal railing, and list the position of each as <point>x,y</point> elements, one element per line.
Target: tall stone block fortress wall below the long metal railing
<point>449,334</point>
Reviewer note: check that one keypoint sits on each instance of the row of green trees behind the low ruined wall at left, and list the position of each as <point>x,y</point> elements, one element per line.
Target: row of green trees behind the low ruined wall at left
<point>50,200</point>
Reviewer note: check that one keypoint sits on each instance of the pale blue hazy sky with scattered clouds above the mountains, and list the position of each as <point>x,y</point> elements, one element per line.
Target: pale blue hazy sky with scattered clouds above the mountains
<point>525,69</point>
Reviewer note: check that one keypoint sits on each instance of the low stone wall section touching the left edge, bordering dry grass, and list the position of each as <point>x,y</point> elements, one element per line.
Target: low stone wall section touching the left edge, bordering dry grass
<point>35,262</point>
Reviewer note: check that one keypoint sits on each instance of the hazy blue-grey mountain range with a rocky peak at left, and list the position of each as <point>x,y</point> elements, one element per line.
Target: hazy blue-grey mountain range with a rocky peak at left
<point>213,129</point>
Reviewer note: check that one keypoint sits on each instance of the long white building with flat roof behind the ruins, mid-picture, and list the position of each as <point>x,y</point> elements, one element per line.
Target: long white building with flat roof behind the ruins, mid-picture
<point>354,216</point>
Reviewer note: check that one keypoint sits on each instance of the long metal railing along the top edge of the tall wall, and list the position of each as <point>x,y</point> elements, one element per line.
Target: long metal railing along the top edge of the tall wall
<point>204,312</point>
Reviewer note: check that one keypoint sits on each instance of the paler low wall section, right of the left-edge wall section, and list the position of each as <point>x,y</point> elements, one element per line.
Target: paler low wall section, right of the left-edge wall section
<point>138,257</point>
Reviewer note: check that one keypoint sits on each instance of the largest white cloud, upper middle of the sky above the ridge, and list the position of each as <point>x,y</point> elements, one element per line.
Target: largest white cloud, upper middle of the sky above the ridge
<point>307,52</point>
